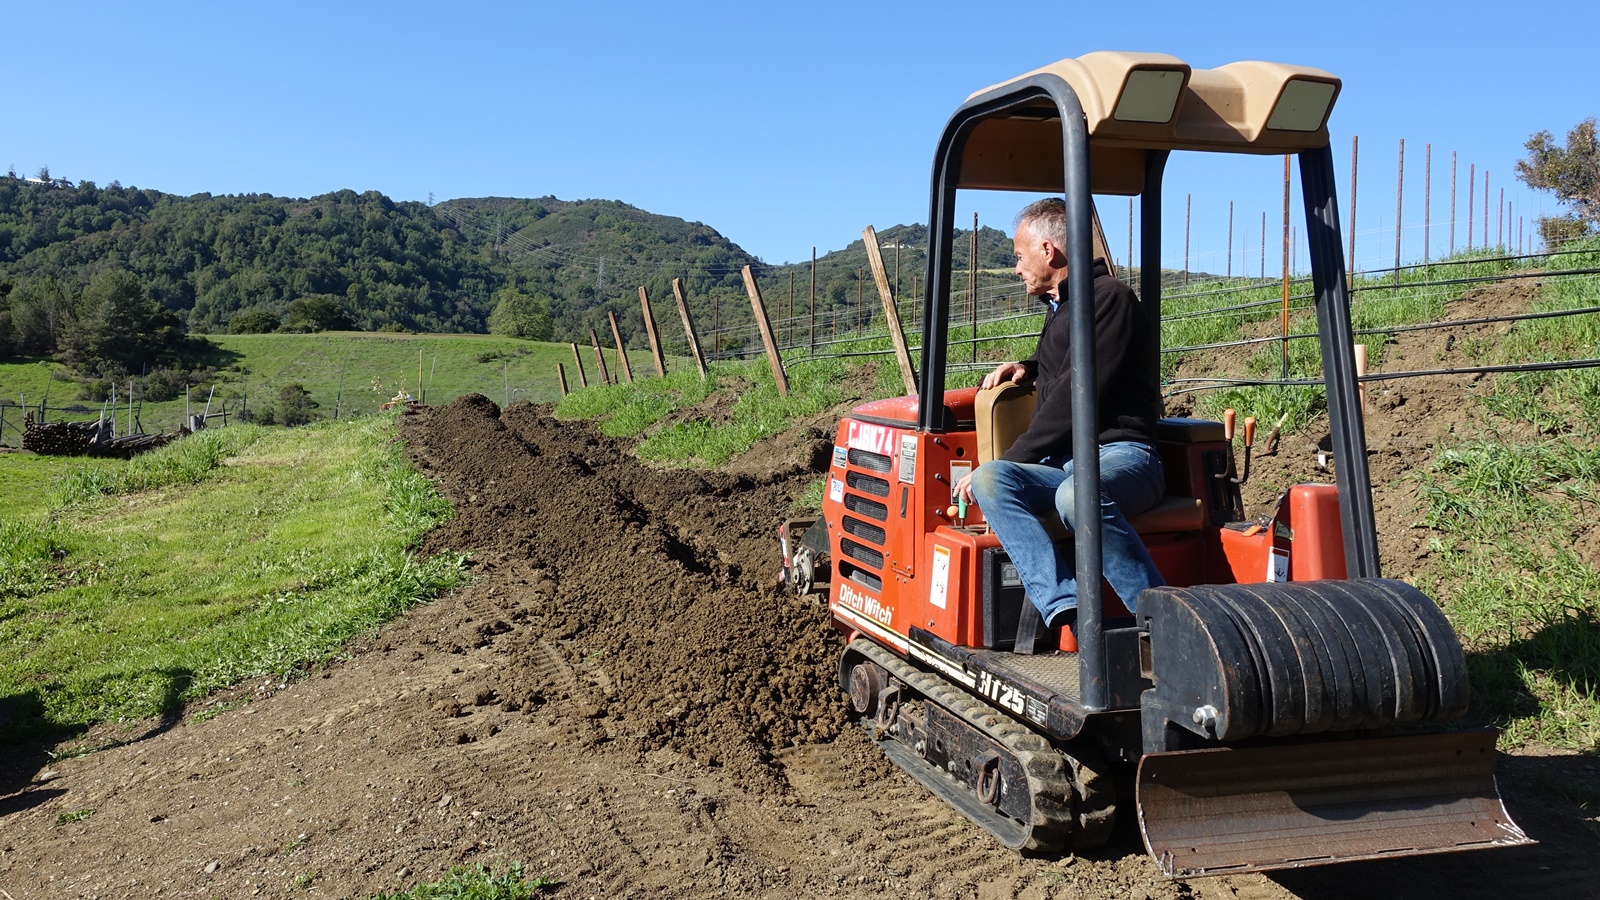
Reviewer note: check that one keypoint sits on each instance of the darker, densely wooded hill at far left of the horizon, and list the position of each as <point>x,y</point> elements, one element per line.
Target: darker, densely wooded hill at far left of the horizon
<point>209,259</point>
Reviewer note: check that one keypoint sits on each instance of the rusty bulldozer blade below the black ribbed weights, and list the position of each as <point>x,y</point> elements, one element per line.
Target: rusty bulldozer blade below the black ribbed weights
<point>1302,805</point>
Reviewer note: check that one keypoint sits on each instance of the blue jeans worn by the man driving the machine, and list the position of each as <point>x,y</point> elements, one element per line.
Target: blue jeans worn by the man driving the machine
<point>1015,497</point>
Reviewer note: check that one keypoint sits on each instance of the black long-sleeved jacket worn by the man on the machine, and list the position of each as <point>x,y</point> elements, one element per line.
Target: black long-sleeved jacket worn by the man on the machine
<point>1127,347</point>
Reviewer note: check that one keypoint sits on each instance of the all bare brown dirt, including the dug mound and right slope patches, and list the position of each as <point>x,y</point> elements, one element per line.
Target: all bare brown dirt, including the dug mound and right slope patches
<point>625,704</point>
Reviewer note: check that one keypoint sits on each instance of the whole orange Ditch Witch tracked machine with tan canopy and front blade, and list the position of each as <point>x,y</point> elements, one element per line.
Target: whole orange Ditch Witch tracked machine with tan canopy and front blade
<point>1260,712</point>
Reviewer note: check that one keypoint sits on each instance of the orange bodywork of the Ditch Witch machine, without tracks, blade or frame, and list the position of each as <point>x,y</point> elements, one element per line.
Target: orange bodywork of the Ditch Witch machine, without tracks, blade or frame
<point>900,561</point>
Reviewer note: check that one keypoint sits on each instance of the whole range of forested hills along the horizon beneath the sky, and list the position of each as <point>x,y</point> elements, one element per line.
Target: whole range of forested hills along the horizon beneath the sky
<point>374,263</point>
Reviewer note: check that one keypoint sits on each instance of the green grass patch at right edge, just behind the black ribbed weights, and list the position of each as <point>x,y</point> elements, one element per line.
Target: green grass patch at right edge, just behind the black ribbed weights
<point>1524,603</point>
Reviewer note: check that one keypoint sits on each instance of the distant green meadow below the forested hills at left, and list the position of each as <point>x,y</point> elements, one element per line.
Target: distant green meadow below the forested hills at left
<point>350,374</point>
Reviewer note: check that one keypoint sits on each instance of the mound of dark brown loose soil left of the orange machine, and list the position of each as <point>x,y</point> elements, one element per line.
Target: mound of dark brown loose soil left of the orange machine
<point>655,589</point>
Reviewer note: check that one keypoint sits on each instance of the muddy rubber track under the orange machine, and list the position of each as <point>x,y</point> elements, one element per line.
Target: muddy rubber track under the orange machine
<point>1071,794</point>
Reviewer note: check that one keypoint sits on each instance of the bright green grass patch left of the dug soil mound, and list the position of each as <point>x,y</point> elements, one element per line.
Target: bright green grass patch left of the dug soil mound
<point>214,574</point>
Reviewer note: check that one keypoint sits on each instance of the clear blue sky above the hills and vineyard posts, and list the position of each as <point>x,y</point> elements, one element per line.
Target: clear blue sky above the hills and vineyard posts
<point>780,126</point>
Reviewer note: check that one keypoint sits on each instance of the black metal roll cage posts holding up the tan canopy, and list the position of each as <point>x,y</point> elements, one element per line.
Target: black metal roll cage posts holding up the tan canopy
<point>1334,324</point>
